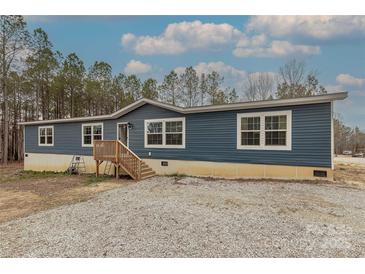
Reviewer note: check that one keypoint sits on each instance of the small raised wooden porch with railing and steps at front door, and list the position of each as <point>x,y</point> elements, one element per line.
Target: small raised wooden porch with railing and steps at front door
<point>121,157</point>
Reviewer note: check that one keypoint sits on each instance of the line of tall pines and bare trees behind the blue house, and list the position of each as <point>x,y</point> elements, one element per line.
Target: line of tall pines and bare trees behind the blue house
<point>39,82</point>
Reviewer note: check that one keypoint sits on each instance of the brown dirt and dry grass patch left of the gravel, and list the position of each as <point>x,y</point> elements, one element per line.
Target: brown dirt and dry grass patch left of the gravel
<point>24,193</point>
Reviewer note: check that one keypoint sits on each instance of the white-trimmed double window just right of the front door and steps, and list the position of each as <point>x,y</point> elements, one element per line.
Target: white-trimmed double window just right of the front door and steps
<point>166,133</point>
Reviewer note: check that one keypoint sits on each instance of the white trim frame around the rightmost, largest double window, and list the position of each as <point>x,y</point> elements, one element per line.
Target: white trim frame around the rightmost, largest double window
<point>262,115</point>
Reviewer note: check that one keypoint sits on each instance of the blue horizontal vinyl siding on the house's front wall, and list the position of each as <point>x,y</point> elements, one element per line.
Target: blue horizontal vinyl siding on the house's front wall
<point>209,137</point>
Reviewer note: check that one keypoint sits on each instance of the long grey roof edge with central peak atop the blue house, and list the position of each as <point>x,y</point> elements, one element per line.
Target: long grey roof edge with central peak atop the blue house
<point>210,108</point>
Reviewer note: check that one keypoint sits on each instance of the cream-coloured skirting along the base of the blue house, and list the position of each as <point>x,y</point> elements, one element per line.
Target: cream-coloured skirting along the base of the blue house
<point>60,162</point>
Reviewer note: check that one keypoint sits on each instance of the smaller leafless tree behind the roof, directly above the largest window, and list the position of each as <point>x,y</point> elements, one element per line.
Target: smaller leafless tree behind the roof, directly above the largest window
<point>259,86</point>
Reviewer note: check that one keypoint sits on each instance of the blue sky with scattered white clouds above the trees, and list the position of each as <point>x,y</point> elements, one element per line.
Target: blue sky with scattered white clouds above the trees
<point>151,46</point>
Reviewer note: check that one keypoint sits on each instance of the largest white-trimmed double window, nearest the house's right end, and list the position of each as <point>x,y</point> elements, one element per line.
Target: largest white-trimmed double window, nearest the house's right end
<point>264,130</point>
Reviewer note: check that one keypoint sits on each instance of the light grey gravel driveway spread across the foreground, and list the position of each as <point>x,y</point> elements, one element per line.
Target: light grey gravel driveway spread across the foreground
<point>191,217</point>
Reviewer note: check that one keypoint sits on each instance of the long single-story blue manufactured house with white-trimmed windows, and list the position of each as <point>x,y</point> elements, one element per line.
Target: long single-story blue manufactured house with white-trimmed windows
<point>281,138</point>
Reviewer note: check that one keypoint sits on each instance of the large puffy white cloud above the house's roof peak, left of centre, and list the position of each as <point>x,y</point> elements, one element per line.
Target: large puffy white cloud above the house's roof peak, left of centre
<point>181,37</point>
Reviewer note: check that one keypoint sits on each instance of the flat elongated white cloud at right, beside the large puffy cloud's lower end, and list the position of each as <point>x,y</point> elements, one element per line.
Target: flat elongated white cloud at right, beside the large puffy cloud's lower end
<point>274,49</point>
